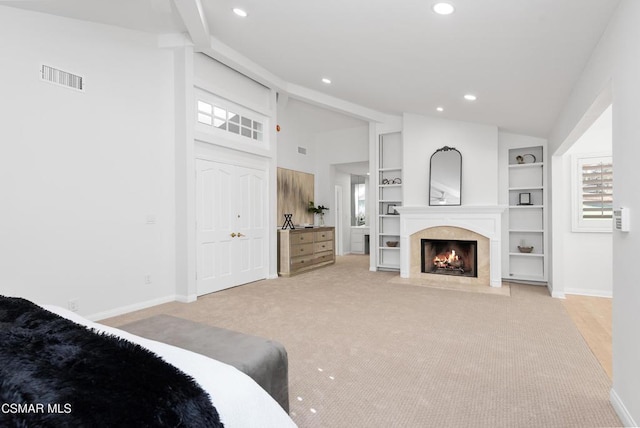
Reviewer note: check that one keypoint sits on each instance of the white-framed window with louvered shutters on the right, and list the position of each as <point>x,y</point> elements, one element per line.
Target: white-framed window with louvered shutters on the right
<point>594,202</point>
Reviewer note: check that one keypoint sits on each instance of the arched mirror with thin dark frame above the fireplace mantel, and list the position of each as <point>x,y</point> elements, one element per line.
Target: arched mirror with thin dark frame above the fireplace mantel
<point>445,177</point>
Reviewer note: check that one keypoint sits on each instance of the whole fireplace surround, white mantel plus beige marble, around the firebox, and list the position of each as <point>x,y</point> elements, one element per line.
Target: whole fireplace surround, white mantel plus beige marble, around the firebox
<point>466,222</point>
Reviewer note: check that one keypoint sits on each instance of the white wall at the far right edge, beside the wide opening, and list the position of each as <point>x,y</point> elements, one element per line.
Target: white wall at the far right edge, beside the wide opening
<point>615,60</point>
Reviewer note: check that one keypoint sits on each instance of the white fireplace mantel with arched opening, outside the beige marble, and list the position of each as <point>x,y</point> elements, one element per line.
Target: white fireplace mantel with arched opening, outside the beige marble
<point>482,219</point>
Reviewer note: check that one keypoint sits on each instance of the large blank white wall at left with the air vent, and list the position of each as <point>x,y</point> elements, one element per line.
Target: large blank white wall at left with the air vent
<point>81,173</point>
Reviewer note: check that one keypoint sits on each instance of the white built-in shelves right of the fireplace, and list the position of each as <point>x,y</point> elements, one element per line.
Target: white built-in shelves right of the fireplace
<point>527,215</point>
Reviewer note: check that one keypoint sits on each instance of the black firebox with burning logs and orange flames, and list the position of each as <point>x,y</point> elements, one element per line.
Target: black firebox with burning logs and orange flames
<point>449,257</point>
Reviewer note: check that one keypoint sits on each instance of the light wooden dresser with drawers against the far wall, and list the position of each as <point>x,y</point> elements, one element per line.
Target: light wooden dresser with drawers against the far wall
<point>300,250</point>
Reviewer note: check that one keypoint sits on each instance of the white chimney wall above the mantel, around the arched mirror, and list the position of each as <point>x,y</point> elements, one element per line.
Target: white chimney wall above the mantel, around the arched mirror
<point>478,144</point>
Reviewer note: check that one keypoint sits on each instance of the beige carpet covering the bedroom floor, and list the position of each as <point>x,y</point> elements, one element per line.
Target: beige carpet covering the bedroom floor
<point>365,351</point>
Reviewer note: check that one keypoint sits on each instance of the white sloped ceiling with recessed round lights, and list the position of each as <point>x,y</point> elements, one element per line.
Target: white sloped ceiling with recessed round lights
<point>520,57</point>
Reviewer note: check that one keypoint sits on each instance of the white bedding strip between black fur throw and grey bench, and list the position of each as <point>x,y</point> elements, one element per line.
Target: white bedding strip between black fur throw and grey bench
<point>240,401</point>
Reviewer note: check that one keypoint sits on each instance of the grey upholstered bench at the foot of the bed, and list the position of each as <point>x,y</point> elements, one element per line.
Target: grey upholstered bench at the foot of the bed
<point>264,360</point>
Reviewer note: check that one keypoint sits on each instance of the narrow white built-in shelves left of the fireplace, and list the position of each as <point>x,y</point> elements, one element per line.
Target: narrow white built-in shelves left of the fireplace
<point>389,194</point>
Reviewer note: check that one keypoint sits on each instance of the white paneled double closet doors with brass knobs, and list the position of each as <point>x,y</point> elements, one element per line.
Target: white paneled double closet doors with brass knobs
<point>231,226</point>
